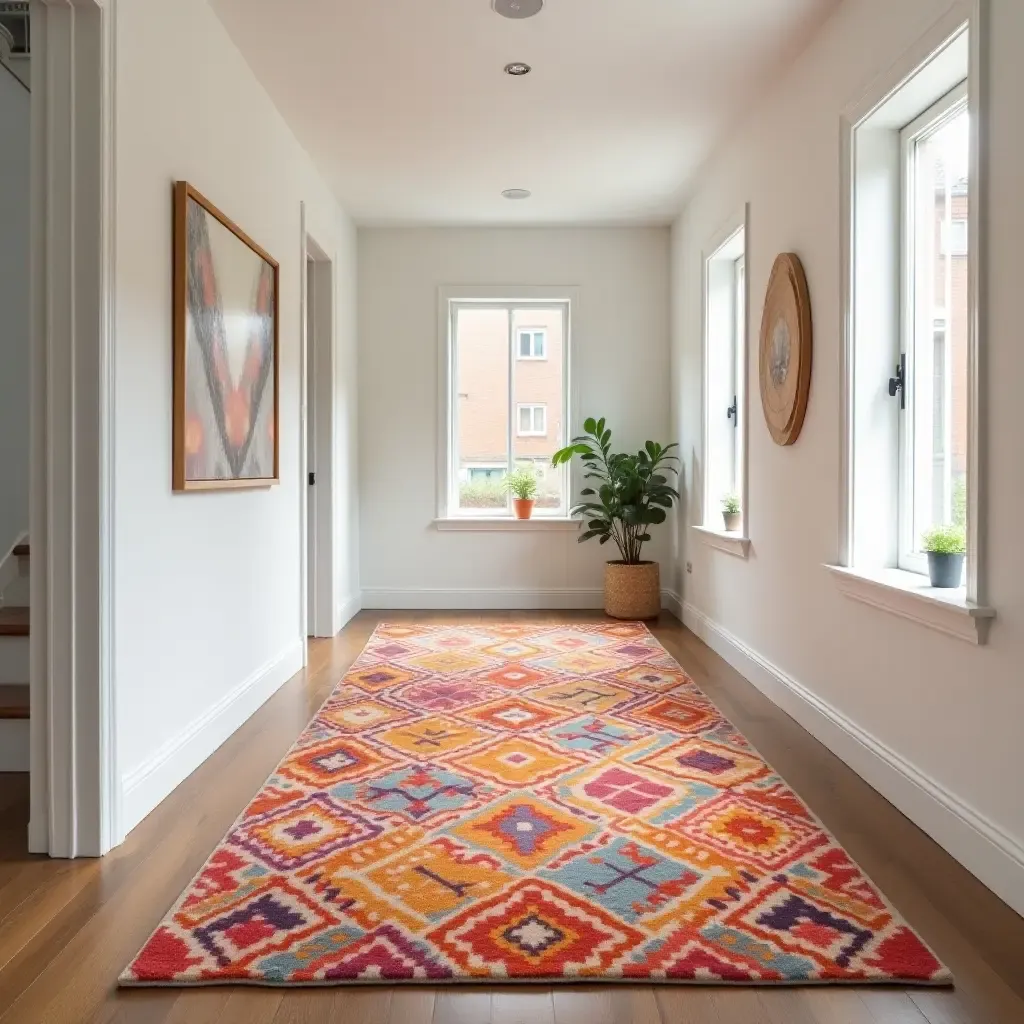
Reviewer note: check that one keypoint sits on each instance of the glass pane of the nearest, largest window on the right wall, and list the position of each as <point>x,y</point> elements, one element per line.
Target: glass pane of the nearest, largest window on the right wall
<point>941,327</point>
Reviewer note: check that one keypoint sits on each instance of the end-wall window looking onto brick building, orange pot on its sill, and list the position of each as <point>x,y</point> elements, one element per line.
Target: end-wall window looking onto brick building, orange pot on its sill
<point>506,373</point>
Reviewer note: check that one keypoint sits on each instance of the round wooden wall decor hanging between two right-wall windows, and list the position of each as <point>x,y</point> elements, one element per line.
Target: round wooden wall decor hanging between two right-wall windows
<point>786,350</point>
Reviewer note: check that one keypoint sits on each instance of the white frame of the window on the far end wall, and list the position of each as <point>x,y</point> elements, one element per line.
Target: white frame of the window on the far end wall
<point>449,516</point>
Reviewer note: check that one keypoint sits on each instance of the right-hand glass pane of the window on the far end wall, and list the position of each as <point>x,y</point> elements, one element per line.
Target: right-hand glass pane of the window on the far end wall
<point>539,383</point>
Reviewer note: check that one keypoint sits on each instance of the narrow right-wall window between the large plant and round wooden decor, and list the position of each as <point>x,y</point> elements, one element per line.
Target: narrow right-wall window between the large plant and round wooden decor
<point>724,366</point>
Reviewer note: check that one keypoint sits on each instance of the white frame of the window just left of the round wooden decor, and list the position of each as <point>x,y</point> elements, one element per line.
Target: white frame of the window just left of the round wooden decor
<point>726,261</point>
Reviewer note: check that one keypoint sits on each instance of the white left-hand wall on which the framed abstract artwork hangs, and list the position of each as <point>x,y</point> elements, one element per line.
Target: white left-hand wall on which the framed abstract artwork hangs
<point>207,586</point>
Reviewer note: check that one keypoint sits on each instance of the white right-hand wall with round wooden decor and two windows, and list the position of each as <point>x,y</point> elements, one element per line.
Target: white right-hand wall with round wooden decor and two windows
<point>938,723</point>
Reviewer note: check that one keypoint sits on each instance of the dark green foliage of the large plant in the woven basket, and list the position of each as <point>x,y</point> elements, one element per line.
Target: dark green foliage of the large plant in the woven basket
<point>631,493</point>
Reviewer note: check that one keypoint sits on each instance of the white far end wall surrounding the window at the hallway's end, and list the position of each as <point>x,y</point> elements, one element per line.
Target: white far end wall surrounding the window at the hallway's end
<point>621,361</point>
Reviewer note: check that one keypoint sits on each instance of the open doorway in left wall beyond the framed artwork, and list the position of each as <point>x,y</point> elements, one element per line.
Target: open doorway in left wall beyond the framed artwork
<point>319,436</point>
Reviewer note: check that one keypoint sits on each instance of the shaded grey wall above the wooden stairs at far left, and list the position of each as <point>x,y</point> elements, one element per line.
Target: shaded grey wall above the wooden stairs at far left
<point>15,364</point>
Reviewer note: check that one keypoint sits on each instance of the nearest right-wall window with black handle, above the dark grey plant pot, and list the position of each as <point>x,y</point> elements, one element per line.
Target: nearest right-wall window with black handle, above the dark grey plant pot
<point>933,423</point>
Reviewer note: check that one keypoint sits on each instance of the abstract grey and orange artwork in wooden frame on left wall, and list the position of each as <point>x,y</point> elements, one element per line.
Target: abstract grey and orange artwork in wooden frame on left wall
<point>227,326</point>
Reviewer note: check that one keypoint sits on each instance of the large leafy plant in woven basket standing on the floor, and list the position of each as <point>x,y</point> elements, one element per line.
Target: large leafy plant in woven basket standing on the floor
<point>630,495</point>
